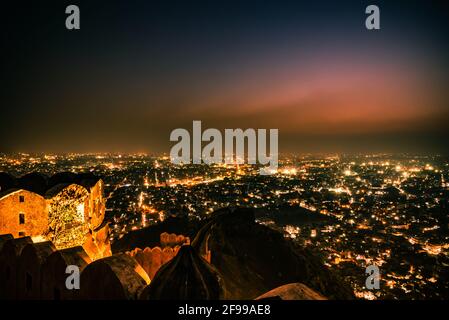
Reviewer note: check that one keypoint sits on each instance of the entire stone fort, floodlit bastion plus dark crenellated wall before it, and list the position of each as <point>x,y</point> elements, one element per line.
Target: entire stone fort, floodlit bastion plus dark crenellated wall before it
<point>48,224</point>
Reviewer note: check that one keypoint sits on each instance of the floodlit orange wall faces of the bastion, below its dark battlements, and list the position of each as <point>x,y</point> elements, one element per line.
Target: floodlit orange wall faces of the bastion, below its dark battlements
<point>36,211</point>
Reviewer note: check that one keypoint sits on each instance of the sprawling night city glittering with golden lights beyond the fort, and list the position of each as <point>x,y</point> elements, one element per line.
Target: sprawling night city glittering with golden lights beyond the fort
<point>352,211</point>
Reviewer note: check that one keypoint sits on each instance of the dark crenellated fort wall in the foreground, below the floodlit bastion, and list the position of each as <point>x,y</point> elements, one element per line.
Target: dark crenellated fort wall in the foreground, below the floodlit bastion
<point>38,270</point>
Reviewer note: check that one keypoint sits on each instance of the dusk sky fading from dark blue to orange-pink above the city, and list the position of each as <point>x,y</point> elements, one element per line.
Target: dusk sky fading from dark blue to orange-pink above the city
<point>139,69</point>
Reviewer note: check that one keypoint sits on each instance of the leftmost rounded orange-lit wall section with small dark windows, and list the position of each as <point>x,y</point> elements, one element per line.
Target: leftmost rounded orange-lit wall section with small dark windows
<point>33,208</point>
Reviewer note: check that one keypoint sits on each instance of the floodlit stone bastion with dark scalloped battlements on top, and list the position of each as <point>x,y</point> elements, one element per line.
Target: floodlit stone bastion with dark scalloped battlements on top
<point>67,209</point>
